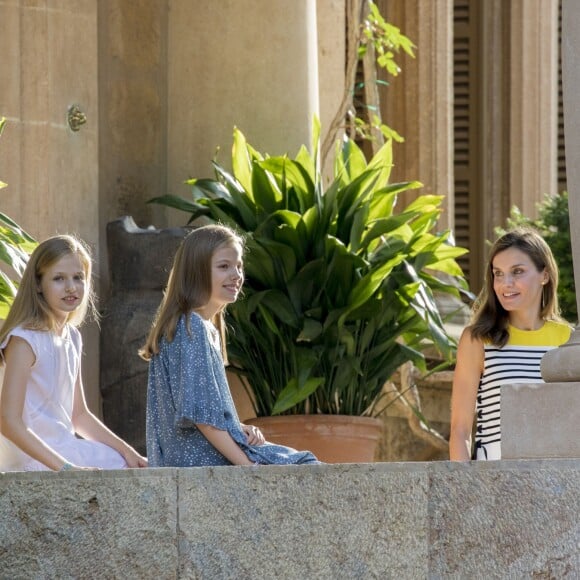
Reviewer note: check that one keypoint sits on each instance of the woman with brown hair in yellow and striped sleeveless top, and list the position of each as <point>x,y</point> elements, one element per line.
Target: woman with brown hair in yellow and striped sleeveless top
<point>515,322</point>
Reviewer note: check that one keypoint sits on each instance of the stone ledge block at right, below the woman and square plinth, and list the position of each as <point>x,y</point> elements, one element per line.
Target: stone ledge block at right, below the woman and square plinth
<point>505,519</point>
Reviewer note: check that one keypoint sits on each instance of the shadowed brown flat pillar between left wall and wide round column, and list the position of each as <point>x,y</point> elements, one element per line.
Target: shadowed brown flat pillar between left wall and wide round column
<point>133,108</point>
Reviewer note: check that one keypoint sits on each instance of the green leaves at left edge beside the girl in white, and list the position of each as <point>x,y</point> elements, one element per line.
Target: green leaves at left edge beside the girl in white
<point>15,247</point>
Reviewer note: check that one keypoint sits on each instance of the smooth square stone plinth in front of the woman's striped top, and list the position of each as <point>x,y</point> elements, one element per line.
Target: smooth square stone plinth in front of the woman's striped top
<point>540,420</point>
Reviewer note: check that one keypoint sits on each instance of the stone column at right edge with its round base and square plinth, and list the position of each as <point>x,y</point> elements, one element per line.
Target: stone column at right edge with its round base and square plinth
<point>541,420</point>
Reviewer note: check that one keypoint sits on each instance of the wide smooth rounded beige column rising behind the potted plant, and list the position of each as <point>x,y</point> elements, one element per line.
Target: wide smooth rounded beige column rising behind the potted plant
<point>252,64</point>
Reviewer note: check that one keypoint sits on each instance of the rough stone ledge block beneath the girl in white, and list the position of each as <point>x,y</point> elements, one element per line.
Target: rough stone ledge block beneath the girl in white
<point>108,524</point>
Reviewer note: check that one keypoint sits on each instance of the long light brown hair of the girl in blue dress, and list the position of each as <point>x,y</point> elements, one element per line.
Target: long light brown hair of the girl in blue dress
<point>190,284</point>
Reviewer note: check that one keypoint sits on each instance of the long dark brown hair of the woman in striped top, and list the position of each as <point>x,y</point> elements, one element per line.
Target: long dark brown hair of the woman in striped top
<point>490,319</point>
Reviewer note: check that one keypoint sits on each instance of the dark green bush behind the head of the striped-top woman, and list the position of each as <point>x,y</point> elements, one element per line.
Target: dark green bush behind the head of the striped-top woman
<point>553,224</point>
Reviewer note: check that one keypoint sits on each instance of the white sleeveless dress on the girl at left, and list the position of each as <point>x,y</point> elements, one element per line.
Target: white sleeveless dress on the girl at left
<point>49,402</point>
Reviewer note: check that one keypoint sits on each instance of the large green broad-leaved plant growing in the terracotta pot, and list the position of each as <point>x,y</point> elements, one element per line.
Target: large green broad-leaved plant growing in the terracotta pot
<point>339,287</point>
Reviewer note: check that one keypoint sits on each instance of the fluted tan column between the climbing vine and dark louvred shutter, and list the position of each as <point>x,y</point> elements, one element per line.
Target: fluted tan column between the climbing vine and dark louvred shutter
<point>419,102</point>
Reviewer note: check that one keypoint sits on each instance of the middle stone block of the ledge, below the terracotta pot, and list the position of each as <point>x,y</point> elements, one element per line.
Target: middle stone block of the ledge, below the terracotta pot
<point>343,521</point>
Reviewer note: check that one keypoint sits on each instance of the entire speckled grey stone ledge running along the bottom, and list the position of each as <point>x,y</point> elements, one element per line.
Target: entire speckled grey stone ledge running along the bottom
<point>404,520</point>
